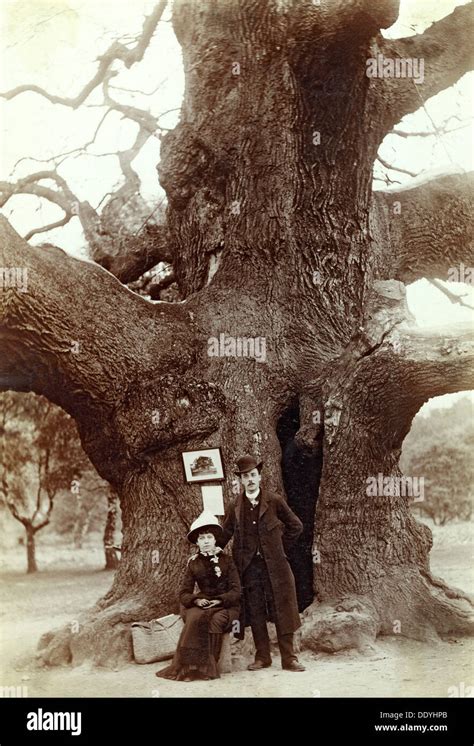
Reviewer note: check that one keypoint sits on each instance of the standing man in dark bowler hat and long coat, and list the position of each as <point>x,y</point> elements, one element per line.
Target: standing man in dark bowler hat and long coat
<point>264,527</point>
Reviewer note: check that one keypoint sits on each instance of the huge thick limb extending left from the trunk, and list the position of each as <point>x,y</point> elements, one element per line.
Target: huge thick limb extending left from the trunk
<point>54,332</point>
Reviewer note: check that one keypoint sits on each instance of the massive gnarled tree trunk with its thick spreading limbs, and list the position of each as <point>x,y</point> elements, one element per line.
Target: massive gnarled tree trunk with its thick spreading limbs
<point>275,235</point>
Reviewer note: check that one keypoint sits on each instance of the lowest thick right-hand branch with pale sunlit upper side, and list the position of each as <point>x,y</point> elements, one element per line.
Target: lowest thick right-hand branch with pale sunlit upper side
<point>395,378</point>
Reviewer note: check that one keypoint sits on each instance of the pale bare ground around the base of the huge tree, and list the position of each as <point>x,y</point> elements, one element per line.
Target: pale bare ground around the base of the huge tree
<point>71,580</point>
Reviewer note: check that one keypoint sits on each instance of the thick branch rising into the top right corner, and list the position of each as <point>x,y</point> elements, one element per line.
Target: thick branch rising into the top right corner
<point>446,52</point>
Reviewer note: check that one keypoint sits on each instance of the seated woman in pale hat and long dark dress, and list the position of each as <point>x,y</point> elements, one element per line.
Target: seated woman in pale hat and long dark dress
<point>208,613</point>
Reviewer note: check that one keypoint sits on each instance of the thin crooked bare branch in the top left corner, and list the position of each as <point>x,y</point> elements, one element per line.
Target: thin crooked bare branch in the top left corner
<point>116,51</point>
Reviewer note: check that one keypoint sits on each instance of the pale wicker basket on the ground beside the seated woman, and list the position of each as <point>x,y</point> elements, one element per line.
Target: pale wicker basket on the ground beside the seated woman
<point>156,640</point>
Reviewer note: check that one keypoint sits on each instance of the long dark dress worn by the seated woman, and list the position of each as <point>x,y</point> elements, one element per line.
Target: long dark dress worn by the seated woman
<point>193,658</point>
